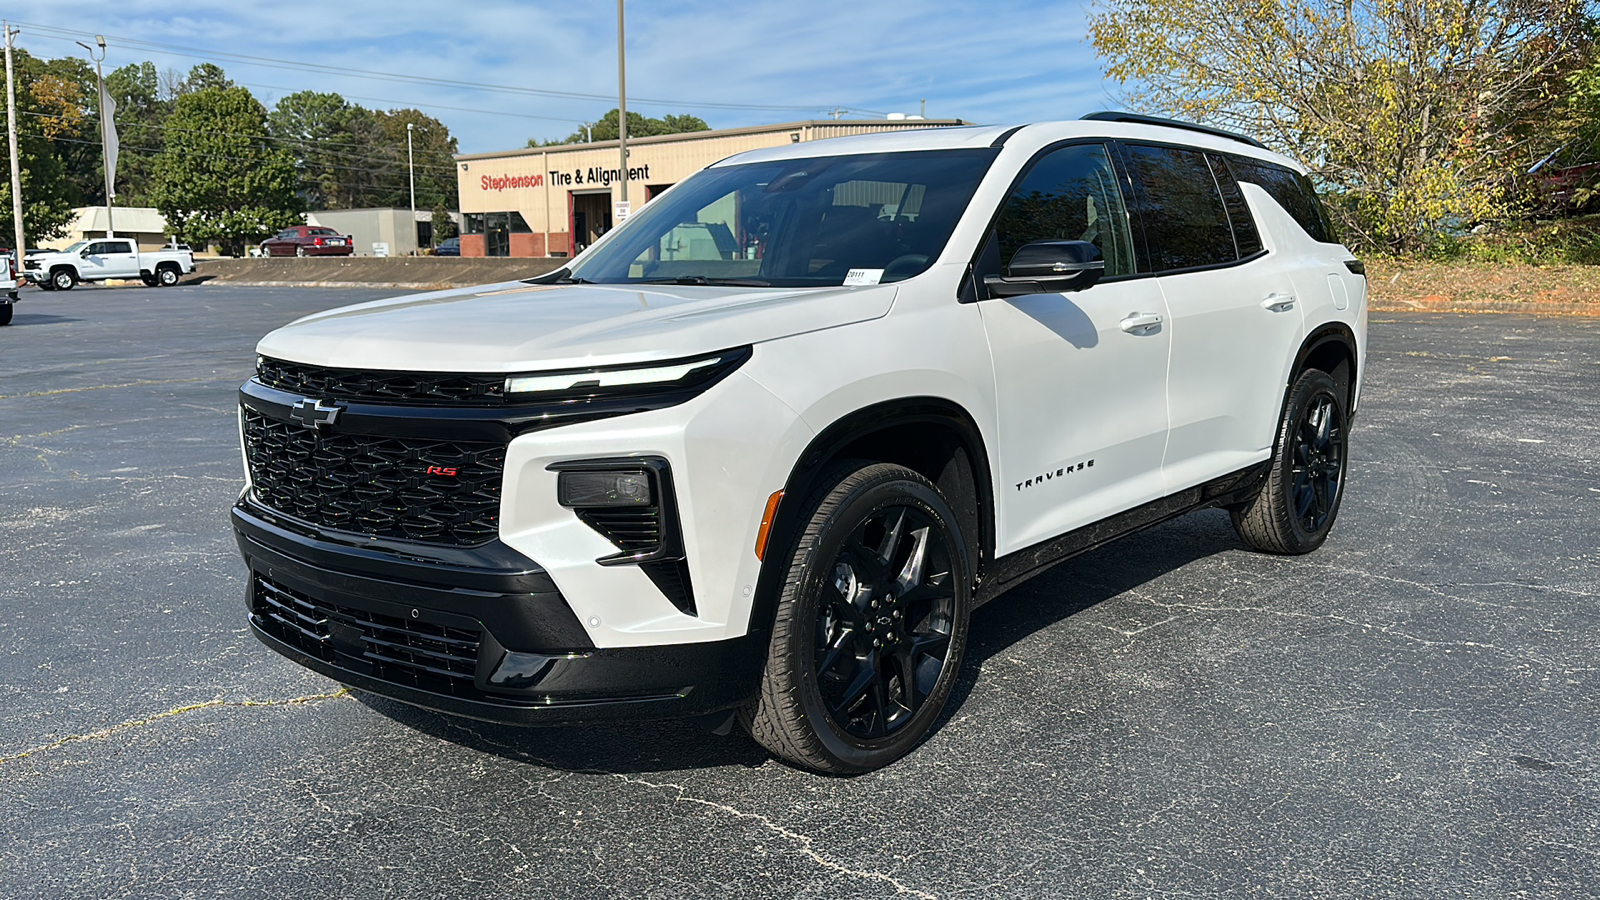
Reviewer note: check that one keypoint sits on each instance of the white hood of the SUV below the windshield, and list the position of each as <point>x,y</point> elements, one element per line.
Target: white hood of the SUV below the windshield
<point>521,327</point>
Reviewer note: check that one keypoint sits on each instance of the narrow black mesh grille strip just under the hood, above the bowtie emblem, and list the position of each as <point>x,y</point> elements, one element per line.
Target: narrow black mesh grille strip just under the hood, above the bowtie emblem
<point>407,388</point>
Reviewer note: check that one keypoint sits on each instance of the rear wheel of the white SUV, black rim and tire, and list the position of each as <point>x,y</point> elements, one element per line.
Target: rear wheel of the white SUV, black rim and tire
<point>1297,507</point>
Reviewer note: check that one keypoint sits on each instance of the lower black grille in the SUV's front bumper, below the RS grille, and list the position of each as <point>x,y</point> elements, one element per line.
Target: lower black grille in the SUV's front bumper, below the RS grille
<point>430,657</point>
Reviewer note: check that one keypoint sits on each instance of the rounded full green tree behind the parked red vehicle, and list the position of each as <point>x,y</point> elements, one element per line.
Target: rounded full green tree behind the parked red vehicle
<point>220,179</point>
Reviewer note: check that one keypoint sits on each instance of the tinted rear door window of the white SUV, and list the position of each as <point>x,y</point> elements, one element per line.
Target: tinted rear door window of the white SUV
<point>1185,215</point>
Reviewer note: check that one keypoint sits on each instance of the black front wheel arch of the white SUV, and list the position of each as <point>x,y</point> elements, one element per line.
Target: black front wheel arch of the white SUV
<point>932,436</point>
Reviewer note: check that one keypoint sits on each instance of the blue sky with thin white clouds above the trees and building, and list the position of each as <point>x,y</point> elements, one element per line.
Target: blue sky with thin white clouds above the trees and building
<point>985,62</point>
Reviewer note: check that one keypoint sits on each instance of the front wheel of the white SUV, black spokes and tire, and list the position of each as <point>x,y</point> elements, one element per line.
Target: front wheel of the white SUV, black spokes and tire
<point>871,624</point>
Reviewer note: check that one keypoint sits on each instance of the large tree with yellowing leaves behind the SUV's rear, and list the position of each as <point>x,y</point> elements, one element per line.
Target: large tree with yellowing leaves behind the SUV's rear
<point>1415,115</point>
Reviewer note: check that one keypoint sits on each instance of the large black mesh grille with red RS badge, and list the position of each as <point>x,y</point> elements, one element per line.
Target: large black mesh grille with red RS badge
<point>377,486</point>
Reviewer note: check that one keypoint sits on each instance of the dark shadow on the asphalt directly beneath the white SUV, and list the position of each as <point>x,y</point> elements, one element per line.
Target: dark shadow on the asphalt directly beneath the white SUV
<point>1041,603</point>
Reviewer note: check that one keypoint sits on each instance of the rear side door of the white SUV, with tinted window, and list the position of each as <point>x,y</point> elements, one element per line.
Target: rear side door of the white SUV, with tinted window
<point>1236,316</point>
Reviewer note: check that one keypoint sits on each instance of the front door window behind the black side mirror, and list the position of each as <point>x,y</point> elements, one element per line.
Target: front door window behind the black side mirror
<point>1071,195</point>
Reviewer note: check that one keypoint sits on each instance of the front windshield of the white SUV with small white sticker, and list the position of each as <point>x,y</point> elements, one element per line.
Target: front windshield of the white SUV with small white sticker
<point>857,220</point>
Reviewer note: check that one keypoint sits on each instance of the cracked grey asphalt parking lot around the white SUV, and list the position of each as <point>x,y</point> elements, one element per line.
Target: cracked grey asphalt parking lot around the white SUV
<point>1410,712</point>
